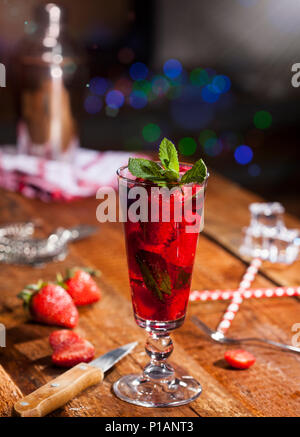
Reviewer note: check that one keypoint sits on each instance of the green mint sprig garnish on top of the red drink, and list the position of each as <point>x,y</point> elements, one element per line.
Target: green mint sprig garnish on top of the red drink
<point>167,173</point>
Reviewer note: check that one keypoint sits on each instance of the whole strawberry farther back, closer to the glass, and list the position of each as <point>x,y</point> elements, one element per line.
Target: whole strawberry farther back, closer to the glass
<point>81,286</point>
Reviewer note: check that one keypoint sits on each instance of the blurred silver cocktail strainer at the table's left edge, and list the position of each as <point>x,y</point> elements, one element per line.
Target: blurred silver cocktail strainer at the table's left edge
<point>17,246</point>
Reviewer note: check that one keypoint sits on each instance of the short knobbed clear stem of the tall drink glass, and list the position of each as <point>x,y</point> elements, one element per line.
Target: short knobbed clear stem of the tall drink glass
<point>159,347</point>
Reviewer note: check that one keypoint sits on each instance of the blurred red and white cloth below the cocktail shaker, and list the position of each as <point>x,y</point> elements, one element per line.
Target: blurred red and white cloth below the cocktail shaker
<point>55,180</point>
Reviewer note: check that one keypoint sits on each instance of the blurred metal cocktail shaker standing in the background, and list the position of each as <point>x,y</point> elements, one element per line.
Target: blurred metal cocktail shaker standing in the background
<point>48,70</point>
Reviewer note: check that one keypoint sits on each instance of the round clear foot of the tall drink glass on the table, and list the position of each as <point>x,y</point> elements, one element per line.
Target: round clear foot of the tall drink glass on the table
<point>138,390</point>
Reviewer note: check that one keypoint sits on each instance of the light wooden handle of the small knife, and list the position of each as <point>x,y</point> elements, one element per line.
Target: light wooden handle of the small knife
<point>59,391</point>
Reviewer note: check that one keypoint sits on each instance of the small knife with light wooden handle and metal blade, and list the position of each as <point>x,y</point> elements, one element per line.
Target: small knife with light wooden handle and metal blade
<point>65,387</point>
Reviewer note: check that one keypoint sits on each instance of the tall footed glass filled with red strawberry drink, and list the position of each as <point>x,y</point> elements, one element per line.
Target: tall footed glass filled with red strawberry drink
<point>161,227</point>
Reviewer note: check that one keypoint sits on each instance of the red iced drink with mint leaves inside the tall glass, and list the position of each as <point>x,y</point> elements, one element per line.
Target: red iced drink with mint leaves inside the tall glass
<point>161,255</point>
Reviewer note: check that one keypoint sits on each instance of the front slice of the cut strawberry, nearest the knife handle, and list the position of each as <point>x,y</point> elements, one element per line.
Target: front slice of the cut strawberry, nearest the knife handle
<point>82,351</point>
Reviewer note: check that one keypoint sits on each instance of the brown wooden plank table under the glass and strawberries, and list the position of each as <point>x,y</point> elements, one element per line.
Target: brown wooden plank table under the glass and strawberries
<point>270,388</point>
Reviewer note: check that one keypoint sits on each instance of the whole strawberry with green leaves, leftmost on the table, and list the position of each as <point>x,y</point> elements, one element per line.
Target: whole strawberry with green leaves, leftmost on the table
<point>50,303</point>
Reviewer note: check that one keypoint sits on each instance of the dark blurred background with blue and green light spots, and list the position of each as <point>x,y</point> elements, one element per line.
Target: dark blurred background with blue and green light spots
<point>252,42</point>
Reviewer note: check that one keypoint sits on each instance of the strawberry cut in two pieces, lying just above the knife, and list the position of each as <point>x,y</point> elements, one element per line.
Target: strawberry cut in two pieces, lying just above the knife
<point>70,349</point>
